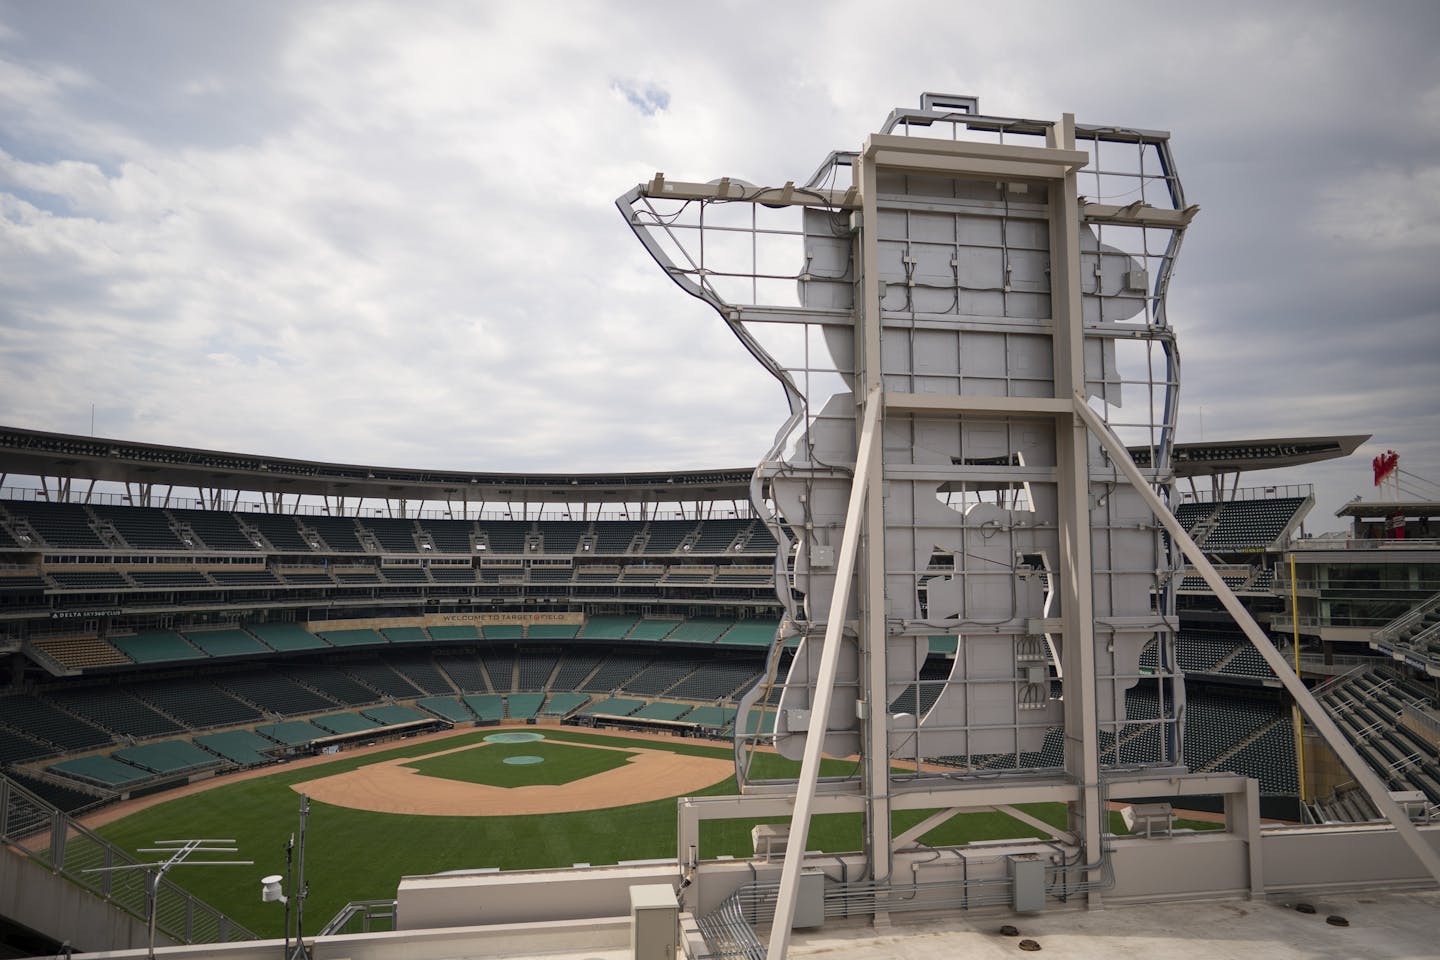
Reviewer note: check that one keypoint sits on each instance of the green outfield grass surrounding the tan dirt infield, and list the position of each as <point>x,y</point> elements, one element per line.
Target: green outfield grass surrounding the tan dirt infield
<point>362,856</point>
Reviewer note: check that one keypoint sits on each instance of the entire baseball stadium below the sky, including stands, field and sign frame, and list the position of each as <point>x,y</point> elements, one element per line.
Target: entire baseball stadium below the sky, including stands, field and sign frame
<point>977,641</point>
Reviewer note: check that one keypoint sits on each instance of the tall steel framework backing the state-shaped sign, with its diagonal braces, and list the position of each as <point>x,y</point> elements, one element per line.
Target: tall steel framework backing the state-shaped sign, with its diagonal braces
<point>968,333</point>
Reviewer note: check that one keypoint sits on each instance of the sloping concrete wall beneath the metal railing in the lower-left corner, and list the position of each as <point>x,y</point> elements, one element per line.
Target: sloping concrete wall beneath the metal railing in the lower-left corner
<point>35,897</point>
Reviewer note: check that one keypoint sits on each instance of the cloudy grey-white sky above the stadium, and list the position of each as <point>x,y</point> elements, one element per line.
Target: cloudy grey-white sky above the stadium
<point>385,232</point>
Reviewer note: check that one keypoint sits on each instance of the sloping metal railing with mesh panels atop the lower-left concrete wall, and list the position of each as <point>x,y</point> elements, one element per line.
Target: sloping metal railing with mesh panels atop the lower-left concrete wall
<point>51,838</point>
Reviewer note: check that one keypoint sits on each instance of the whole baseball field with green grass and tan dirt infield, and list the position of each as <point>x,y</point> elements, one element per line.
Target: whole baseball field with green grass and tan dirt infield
<point>459,801</point>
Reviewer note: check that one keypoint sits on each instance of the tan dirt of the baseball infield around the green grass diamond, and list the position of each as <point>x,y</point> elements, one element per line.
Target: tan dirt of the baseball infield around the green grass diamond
<point>391,787</point>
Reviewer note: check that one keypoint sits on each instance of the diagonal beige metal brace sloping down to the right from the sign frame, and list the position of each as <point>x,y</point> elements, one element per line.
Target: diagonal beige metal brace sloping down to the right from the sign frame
<point>1311,707</point>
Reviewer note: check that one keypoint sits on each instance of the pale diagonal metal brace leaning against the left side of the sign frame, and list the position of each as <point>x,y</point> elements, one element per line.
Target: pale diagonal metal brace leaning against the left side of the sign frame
<point>824,687</point>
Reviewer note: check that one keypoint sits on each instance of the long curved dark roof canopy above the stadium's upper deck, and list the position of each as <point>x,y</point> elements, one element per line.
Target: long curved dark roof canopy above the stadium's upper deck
<point>40,454</point>
